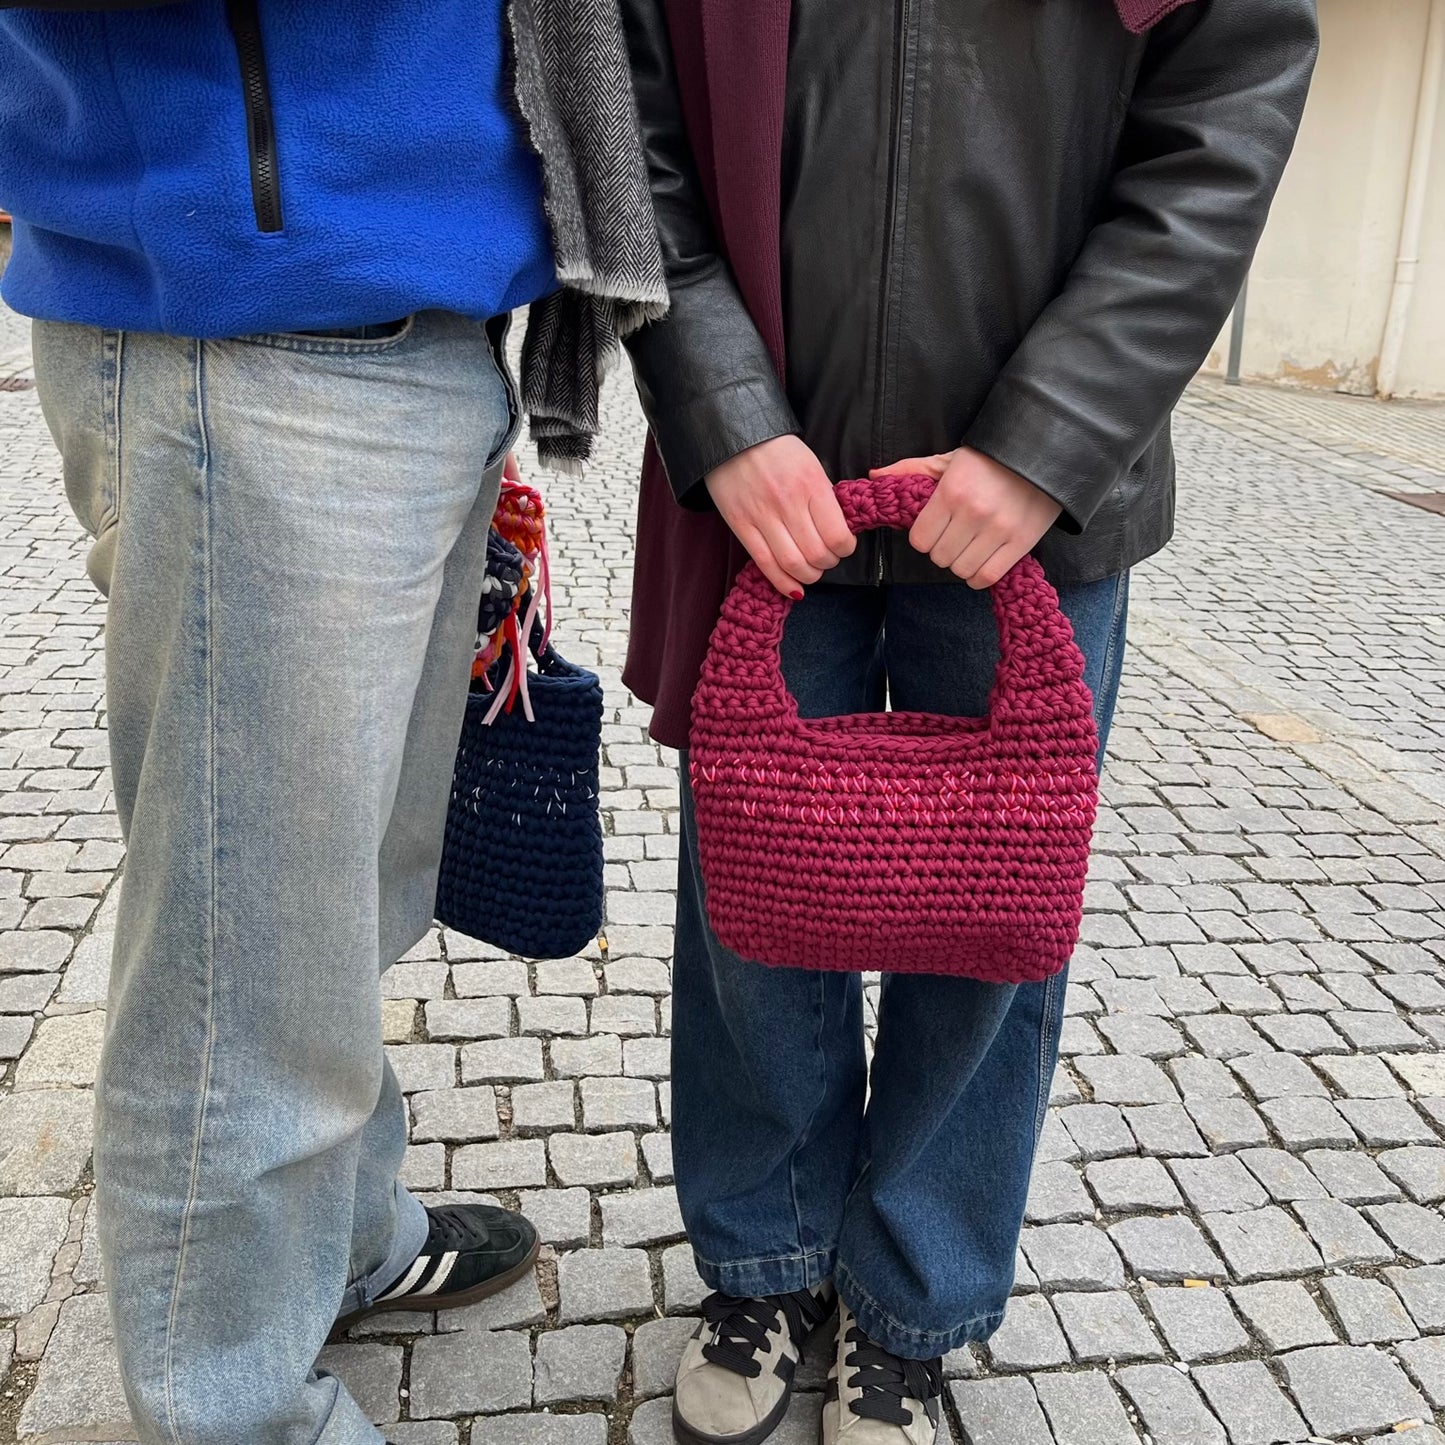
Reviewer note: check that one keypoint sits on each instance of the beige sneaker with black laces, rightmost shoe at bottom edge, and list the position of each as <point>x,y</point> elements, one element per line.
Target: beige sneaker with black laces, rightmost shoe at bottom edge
<point>875,1398</point>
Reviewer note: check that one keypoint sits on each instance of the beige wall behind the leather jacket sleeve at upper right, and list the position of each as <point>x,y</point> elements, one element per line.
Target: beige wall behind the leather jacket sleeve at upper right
<point>1321,284</point>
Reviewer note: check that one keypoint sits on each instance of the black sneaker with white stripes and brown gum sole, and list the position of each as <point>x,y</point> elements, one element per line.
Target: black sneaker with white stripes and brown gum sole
<point>473,1251</point>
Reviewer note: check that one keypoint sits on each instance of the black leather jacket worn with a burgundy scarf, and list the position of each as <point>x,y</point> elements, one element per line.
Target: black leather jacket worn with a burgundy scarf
<point>1006,223</point>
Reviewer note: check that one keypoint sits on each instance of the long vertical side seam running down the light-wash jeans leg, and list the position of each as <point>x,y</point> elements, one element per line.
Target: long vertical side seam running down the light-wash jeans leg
<point>203,1102</point>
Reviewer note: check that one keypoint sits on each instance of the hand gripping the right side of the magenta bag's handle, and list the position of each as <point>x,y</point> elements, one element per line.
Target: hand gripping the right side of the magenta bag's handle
<point>983,517</point>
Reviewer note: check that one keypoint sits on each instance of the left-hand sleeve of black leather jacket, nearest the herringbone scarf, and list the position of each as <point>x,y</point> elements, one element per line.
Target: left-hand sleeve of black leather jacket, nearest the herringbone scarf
<point>707,384</point>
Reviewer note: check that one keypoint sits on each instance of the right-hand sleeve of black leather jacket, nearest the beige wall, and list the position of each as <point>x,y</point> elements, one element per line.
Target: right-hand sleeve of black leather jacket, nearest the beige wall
<point>1210,126</point>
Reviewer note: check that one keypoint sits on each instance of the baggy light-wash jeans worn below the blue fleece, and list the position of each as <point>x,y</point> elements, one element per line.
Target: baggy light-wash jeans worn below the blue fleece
<point>293,534</point>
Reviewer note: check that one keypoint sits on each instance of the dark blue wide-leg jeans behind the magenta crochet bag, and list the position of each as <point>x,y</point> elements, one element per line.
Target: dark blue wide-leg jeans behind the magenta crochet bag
<point>907,1184</point>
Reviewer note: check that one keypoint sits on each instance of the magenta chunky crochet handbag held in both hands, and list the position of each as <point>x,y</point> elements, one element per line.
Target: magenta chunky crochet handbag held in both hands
<point>900,842</point>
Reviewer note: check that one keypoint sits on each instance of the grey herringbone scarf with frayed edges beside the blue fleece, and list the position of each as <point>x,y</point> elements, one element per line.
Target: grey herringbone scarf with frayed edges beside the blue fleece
<point>574,90</point>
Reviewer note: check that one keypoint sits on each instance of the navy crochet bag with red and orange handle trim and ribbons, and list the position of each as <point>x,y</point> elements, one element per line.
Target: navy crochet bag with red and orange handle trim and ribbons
<point>522,860</point>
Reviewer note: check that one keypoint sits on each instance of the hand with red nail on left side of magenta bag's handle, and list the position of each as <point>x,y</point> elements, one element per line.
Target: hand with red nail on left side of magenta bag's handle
<point>780,504</point>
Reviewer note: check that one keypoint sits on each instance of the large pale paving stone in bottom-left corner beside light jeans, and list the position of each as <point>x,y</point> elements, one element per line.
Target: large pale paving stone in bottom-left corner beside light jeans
<point>77,1392</point>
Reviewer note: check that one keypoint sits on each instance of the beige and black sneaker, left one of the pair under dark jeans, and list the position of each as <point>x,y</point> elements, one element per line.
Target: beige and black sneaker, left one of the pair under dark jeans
<point>738,1371</point>
